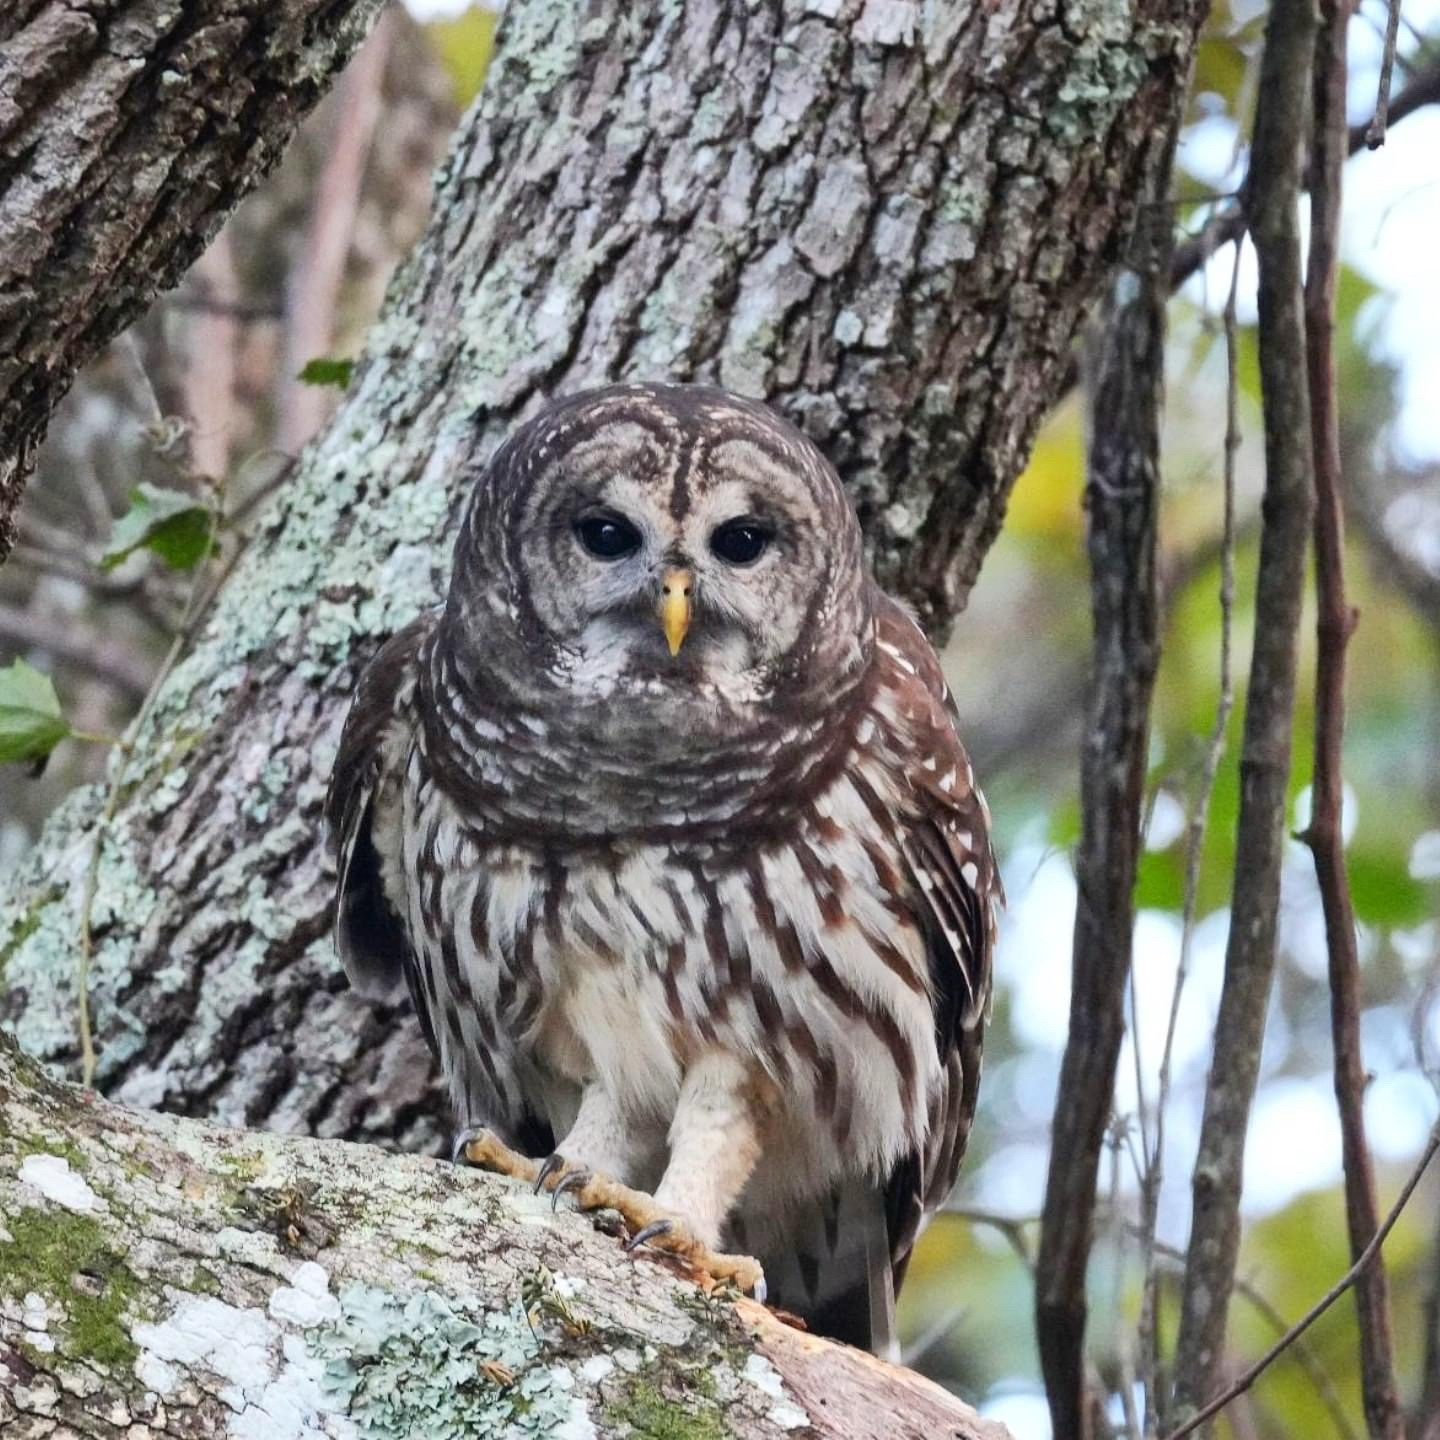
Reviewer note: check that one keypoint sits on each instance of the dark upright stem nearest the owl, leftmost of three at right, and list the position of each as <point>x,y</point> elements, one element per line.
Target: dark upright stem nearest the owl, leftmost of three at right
<point>1122,500</point>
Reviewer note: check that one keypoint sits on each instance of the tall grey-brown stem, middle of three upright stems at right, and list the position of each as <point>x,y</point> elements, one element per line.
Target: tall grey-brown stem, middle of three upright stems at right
<point>1265,762</point>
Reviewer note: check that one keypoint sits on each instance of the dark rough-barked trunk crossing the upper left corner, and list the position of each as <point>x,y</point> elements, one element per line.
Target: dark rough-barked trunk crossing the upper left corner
<point>129,130</point>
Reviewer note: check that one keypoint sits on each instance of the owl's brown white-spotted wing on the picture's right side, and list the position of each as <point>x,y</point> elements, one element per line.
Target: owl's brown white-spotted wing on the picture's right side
<point>958,894</point>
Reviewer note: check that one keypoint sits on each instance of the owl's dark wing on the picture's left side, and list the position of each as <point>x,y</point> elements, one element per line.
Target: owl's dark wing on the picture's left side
<point>364,810</point>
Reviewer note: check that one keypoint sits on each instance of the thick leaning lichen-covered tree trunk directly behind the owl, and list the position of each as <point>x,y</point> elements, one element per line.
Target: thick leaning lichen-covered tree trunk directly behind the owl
<point>885,218</point>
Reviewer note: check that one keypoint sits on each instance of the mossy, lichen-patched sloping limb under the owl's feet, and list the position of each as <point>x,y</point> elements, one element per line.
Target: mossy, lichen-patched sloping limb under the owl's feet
<point>168,1278</point>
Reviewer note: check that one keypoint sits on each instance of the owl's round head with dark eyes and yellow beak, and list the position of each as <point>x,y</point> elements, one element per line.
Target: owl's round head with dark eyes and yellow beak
<point>663,541</point>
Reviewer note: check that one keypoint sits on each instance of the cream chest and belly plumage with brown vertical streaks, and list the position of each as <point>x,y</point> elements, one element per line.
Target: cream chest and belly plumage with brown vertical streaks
<point>791,945</point>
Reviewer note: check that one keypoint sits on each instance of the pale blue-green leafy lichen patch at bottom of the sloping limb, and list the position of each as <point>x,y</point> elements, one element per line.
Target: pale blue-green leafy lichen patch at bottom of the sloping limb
<point>427,1364</point>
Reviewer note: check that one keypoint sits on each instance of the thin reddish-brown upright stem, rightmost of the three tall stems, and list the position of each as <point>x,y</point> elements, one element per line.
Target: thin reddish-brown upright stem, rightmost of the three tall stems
<point>1336,623</point>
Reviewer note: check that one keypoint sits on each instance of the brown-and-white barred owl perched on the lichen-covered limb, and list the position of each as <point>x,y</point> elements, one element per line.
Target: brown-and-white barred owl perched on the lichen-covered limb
<point>665,823</point>
